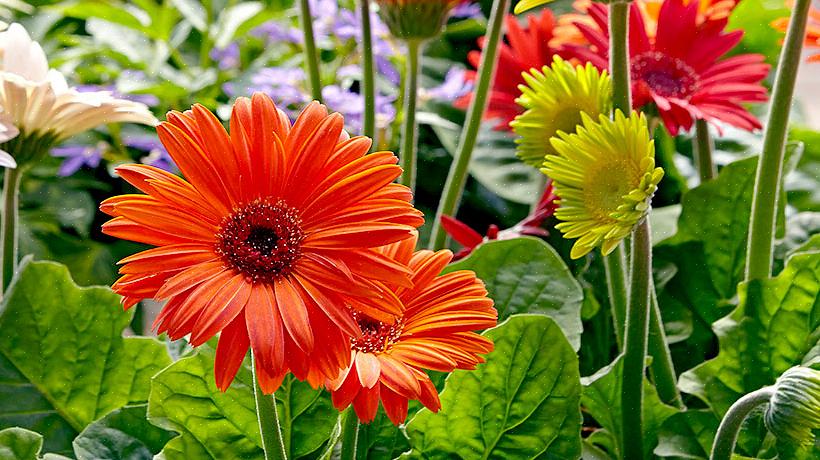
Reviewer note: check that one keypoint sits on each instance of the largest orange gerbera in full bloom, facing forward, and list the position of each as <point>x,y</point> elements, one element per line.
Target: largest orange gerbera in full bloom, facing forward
<point>269,239</point>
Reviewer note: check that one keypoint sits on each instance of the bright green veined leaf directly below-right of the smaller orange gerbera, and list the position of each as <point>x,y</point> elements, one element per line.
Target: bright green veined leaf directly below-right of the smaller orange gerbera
<point>522,403</point>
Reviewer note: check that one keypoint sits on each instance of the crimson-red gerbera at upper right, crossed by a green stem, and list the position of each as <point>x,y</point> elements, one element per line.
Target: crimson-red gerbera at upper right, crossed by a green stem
<point>680,70</point>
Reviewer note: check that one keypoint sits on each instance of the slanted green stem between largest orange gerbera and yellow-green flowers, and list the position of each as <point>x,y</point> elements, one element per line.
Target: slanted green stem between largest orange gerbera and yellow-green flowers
<point>457,177</point>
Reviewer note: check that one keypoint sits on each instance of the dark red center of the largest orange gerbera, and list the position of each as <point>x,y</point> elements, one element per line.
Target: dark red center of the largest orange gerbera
<point>261,240</point>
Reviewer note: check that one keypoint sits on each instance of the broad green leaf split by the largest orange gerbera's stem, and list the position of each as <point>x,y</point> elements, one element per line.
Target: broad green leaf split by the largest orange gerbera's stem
<point>218,425</point>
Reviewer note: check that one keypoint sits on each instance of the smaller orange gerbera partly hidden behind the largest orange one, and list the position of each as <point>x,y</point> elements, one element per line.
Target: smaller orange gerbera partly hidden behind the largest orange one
<point>435,332</point>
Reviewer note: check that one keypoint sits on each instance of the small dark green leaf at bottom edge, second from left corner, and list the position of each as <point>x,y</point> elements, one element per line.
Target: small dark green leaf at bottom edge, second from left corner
<point>122,434</point>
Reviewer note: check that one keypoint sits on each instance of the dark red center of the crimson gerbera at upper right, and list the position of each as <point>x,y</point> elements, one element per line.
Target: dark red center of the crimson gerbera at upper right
<point>665,75</point>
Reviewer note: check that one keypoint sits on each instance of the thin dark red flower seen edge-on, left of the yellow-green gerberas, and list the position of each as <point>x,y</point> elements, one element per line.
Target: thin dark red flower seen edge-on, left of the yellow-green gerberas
<point>470,239</point>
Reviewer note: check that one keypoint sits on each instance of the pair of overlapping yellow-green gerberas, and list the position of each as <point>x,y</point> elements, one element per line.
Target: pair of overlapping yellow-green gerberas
<point>603,168</point>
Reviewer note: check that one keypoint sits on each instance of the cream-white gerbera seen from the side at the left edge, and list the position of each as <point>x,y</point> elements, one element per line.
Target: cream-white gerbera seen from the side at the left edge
<point>41,105</point>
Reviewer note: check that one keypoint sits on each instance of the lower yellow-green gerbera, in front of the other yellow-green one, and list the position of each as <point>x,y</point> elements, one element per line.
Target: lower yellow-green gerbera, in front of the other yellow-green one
<point>605,176</point>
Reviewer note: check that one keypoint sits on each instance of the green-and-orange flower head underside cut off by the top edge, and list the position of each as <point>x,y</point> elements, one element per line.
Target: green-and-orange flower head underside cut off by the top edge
<point>415,19</point>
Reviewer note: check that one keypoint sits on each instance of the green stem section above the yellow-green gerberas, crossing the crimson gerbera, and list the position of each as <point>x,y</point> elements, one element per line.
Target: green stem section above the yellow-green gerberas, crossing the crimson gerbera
<point>619,56</point>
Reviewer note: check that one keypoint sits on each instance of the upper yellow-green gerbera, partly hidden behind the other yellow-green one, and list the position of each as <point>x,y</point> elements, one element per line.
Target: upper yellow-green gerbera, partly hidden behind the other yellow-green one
<point>554,99</point>
